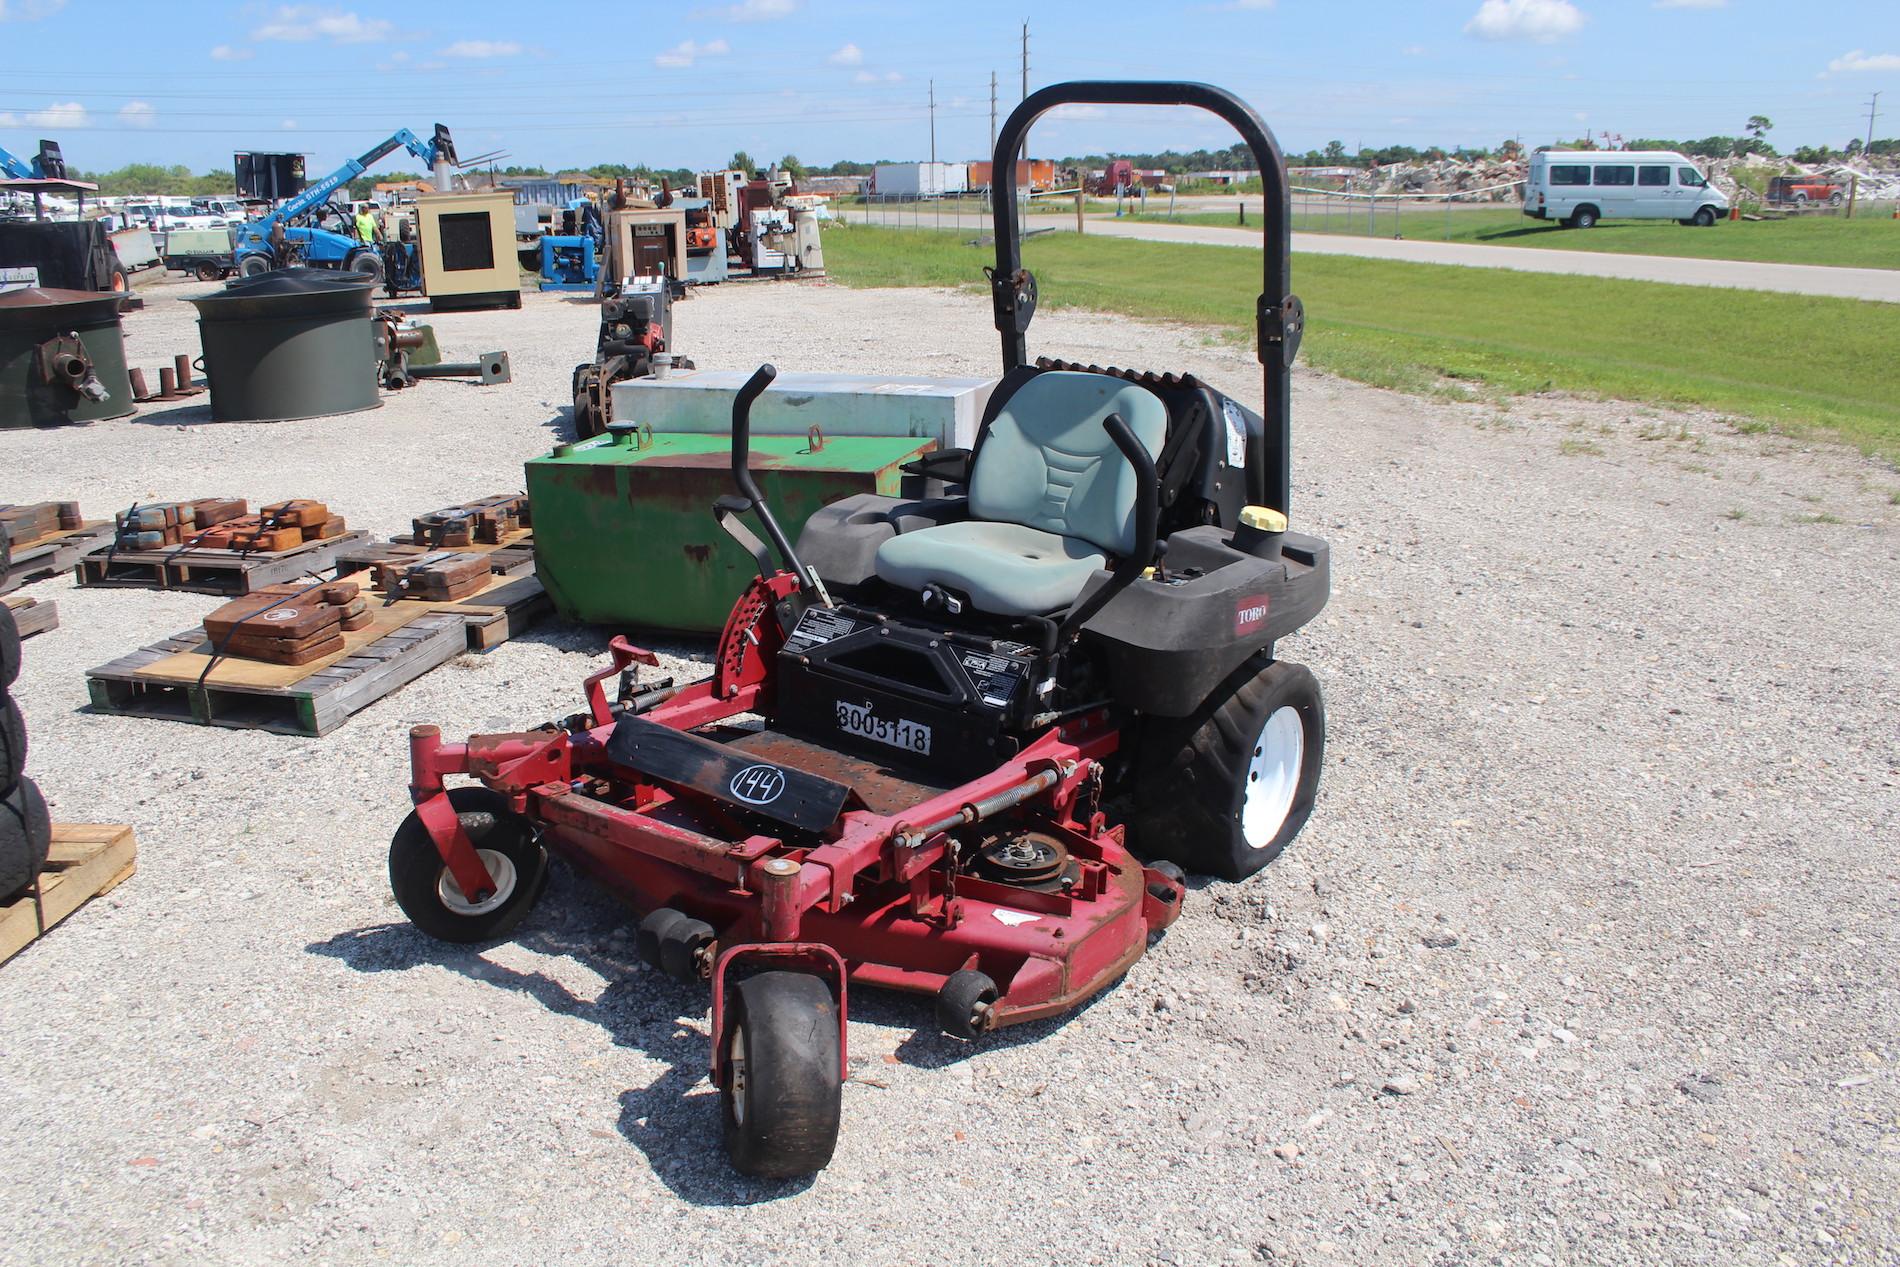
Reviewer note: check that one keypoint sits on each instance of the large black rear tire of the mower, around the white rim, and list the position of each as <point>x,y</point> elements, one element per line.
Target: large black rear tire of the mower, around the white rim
<point>1194,772</point>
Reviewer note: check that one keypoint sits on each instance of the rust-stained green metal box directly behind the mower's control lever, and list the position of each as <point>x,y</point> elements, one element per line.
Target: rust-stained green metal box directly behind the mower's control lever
<point>624,529</point>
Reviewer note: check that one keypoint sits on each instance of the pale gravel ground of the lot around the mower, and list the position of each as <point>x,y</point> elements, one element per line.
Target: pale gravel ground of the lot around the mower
<point>1589,953</point>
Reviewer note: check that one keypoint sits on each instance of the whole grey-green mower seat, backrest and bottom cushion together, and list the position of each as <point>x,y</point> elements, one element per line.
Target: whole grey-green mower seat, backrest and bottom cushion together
<point>1050,501</point>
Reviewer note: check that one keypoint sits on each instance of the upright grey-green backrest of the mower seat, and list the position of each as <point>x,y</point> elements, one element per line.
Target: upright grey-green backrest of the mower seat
<point>1046,463</point>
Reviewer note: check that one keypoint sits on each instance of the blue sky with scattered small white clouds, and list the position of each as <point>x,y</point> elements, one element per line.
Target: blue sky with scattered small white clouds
<point>691,83</point>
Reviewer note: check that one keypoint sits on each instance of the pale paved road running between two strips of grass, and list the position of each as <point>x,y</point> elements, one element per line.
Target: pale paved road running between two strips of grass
<point>1865,284</point>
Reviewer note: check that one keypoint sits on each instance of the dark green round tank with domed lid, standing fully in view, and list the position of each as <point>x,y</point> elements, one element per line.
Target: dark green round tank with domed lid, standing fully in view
<point>295,343</point>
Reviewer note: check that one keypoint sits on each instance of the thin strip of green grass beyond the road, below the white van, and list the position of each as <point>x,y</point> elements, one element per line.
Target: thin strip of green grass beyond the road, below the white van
<point>1865,242</point>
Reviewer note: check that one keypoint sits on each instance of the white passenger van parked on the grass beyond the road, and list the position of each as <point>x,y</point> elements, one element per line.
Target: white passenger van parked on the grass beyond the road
<point>1584,187</point>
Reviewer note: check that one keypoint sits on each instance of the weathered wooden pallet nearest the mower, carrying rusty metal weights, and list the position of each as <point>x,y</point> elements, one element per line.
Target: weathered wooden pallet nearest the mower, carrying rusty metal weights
<point>406,639</point>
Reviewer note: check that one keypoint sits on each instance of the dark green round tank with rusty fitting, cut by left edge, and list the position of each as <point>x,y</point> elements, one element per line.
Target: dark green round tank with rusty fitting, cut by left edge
<point>43,383</point>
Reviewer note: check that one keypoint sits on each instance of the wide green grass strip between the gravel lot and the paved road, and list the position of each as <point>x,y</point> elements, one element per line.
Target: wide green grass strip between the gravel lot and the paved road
<point>1787,362</point>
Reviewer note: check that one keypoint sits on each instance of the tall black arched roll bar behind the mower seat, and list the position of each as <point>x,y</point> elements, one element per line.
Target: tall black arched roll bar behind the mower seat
<point>1280,318</point>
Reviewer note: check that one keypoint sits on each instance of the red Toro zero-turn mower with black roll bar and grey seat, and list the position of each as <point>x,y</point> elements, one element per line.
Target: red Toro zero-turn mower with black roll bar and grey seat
<point>979,708</point>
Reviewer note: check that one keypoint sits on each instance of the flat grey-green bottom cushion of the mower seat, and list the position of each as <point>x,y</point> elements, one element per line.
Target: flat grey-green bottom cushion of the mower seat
<point>1004,569</point>
